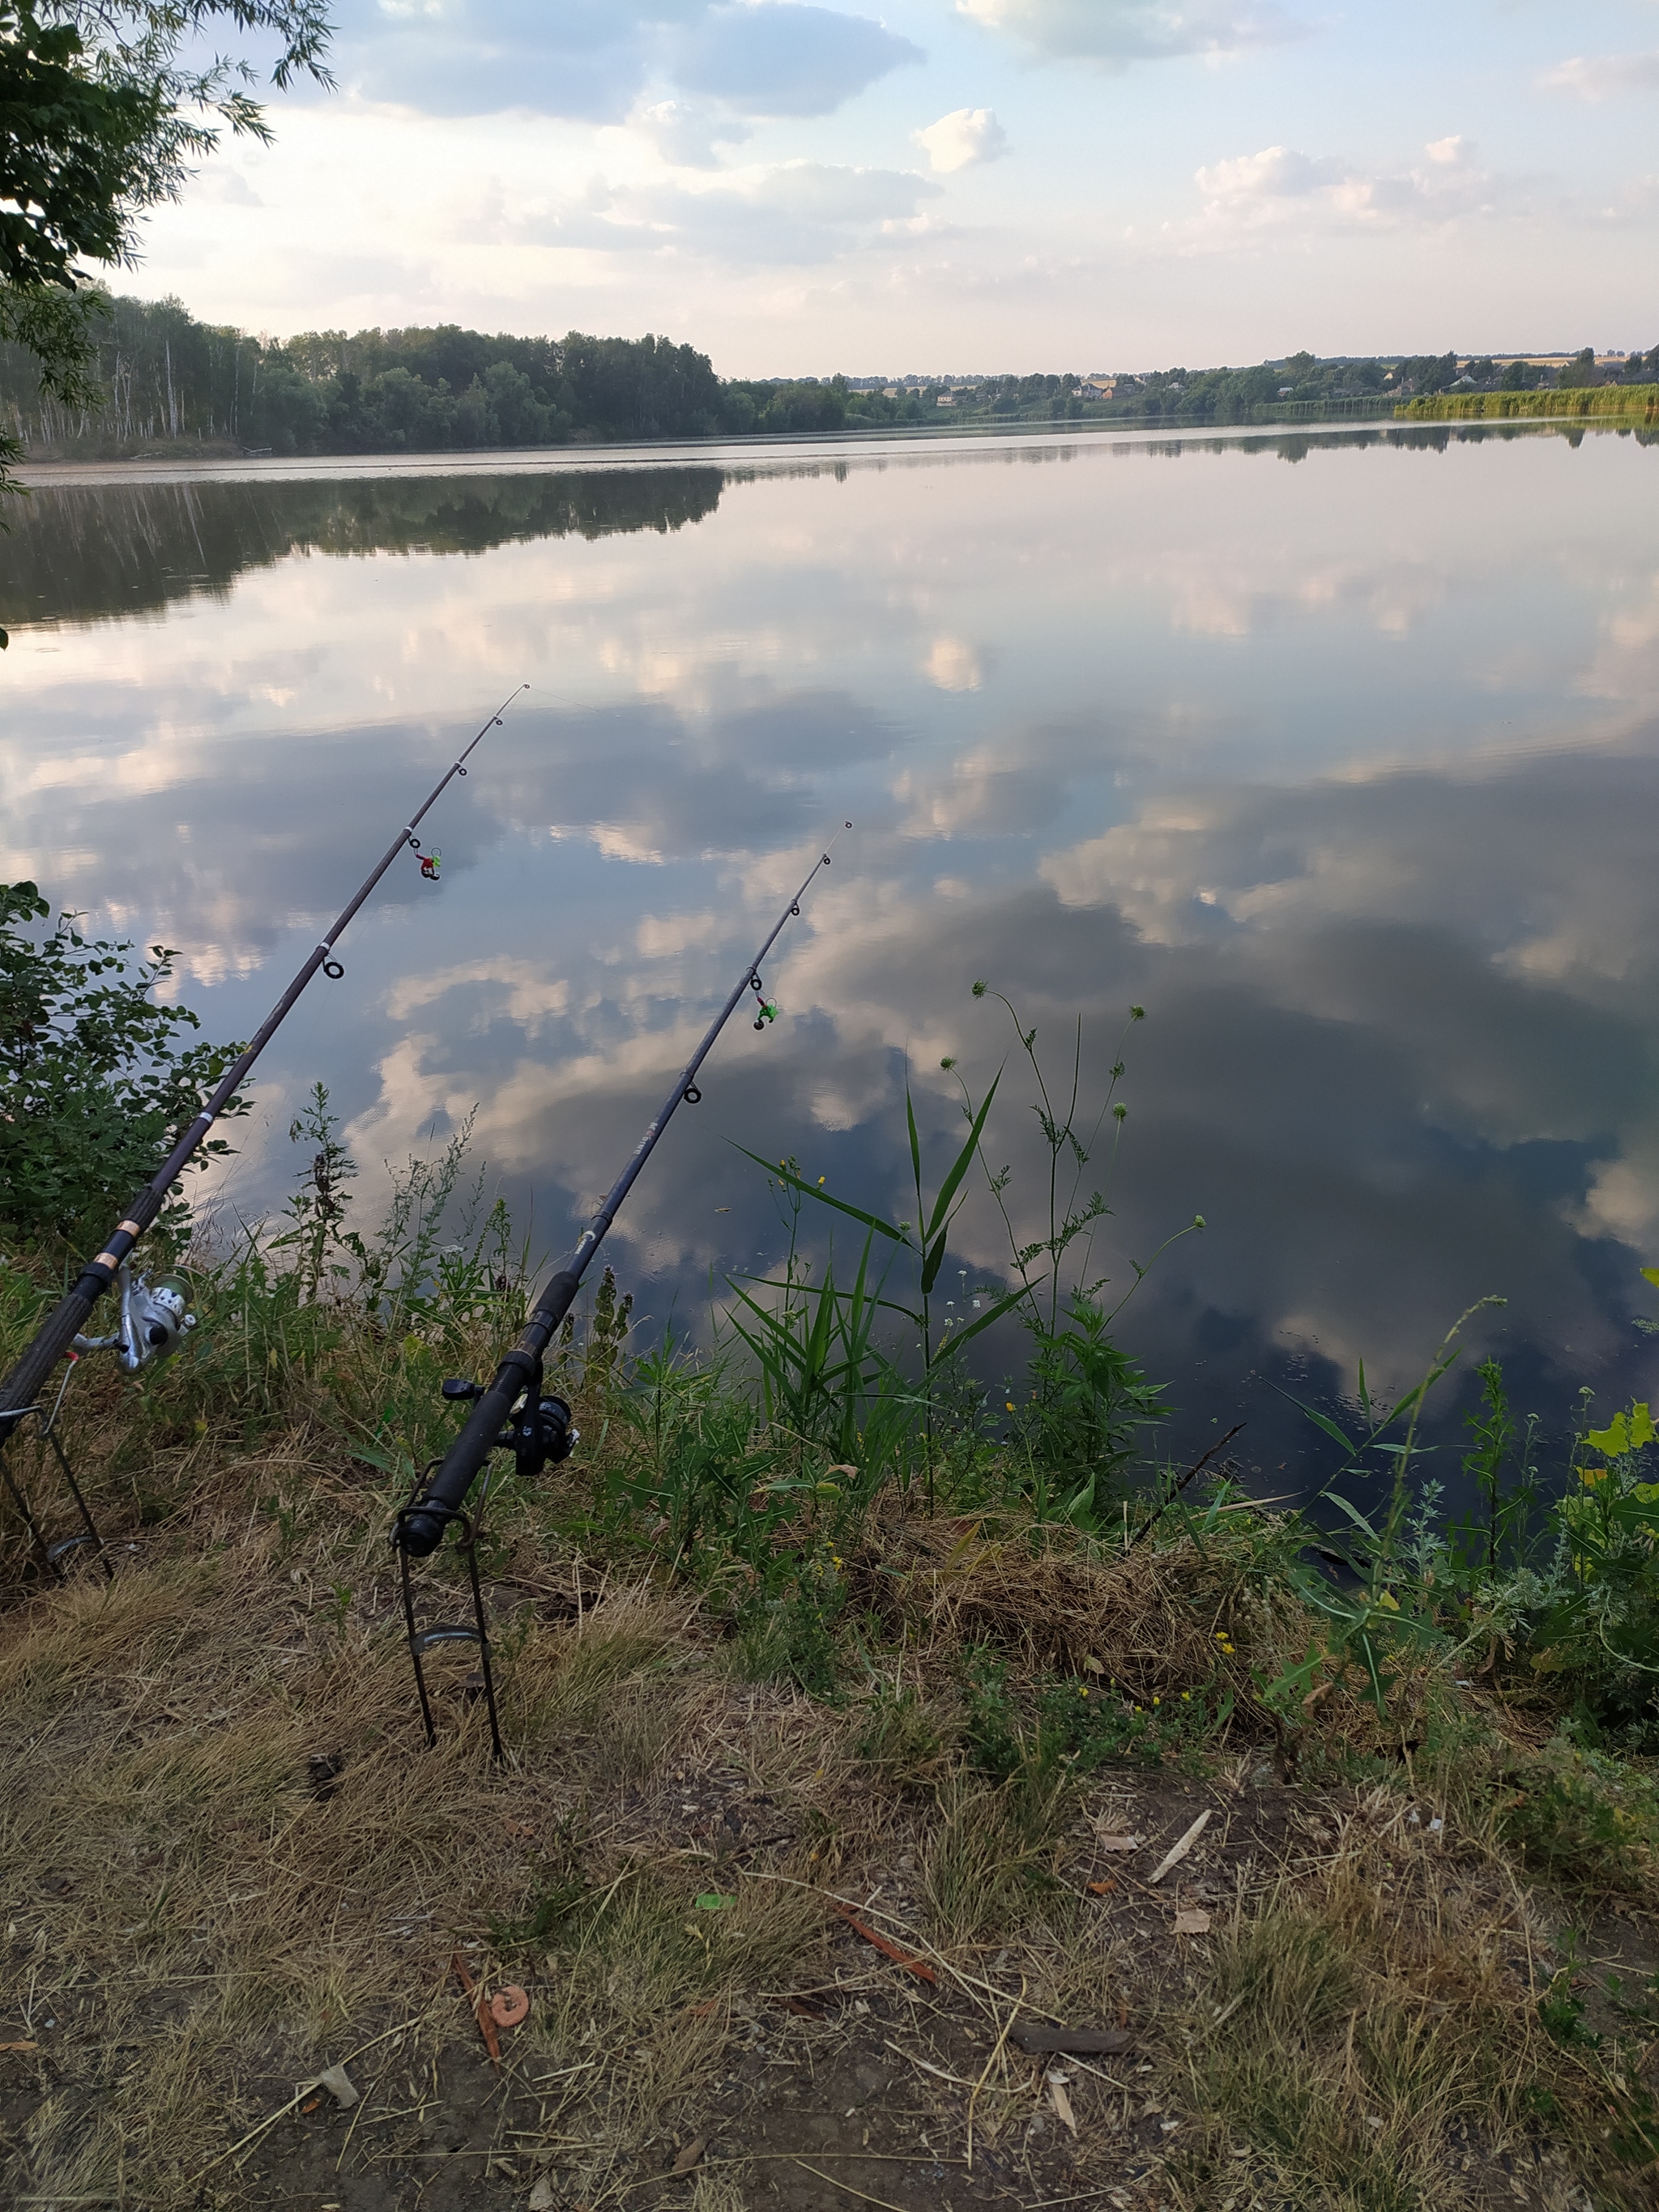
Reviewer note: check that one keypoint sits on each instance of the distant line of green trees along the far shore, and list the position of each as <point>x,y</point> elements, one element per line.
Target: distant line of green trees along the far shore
<point>165,377</point>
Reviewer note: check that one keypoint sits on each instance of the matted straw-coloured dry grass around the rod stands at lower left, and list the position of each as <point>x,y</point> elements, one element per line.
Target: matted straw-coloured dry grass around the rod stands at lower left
<point>182,1886</point>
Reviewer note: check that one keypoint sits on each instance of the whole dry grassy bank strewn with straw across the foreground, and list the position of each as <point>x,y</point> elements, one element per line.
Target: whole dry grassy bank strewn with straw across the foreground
<point>211,1919</point>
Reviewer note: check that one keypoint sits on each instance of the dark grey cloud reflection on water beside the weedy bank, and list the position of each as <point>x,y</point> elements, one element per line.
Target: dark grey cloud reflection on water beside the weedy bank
<point>1344,1067</point>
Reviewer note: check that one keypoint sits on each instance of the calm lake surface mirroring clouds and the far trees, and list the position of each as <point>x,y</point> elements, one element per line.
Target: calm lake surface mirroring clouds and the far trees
<point>1337,753</point>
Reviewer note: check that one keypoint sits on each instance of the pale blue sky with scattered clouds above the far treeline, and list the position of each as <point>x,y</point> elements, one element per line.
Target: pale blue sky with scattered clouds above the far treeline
<point>961,187</point>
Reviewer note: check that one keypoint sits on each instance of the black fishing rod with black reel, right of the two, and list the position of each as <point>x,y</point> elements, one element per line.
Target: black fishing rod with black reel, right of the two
<point>512,1412</point>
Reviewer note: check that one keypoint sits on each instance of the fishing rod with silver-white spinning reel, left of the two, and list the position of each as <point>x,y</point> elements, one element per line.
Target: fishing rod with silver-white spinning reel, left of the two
<point>154,1317</point>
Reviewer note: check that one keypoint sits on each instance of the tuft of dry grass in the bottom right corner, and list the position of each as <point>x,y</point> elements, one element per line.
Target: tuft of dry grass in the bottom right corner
<point>1368,2041</point>
